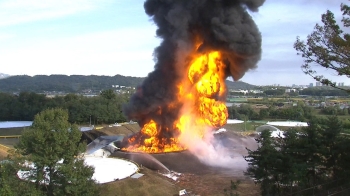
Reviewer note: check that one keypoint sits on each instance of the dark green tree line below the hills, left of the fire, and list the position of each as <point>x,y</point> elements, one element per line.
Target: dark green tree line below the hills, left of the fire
<point>104,108</point>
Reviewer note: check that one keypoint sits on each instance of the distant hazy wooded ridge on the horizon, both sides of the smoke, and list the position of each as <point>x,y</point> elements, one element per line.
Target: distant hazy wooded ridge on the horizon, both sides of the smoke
<point>80,83</point>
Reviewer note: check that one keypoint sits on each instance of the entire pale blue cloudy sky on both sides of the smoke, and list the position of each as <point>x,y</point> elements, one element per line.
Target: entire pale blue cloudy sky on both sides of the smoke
<point>109,37</point>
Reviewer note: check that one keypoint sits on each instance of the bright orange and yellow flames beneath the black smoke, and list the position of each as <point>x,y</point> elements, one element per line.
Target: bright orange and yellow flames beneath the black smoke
<point>200,93</point>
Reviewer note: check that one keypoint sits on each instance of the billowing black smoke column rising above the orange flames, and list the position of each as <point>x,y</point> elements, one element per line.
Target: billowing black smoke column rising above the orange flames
<point>222,25</point>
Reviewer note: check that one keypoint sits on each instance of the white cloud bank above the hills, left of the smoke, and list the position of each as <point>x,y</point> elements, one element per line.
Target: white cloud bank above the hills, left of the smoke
<point>123,51</point>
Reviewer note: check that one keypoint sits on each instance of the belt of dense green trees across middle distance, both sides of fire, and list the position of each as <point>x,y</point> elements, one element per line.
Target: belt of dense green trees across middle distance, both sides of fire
<point>107,107</point>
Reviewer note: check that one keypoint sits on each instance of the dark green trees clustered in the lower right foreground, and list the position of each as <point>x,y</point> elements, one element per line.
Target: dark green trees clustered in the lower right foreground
<point>311,161</point>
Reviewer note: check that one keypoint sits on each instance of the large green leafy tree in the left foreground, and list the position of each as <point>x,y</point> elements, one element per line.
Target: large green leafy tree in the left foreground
<point>53,146</point>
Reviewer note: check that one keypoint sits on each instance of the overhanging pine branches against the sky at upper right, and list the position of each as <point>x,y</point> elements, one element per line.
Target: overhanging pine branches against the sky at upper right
<point>328,47</point>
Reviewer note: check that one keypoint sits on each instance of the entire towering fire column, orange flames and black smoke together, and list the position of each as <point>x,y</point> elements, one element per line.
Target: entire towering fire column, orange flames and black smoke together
<point>203,43</point>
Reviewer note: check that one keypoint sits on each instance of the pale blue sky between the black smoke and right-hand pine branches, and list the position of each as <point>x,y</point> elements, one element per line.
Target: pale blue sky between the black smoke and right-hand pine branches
<point>280,22</point>
